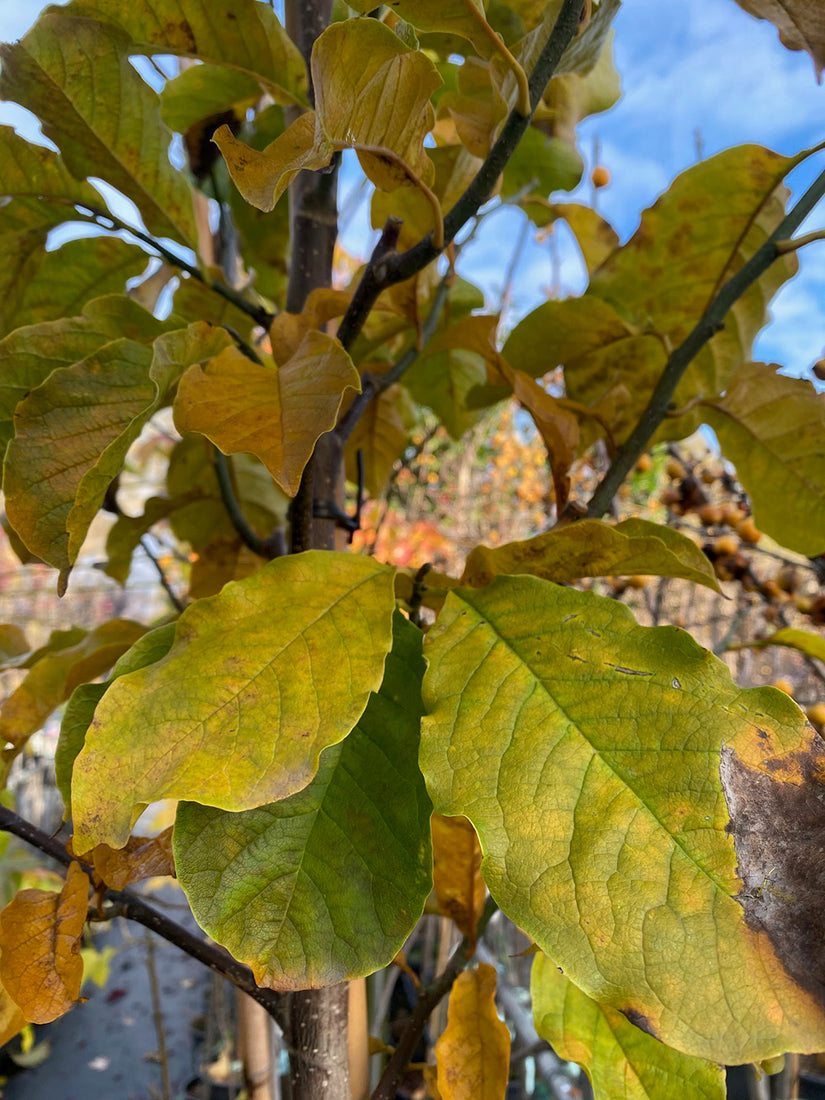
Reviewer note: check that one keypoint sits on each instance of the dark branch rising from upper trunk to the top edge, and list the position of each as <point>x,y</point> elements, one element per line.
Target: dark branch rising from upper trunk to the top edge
<point>400,267</point>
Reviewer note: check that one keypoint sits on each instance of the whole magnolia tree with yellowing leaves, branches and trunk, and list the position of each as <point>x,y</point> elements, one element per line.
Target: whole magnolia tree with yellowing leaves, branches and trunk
<point>326,720</point>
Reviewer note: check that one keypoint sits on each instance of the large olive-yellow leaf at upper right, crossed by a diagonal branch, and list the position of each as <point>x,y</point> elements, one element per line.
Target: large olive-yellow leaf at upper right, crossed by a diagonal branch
<point>648,295</point>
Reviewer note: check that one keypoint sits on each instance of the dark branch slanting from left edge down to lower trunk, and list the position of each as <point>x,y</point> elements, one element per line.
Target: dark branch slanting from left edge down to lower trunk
<point>131,906</point>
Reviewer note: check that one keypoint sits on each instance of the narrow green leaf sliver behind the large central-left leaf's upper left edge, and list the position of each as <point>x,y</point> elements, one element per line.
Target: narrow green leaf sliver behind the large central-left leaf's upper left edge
<point>81,708</point>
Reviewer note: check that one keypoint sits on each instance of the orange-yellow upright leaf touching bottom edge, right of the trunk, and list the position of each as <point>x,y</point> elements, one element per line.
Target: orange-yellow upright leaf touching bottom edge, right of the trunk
<point>474,1053</point>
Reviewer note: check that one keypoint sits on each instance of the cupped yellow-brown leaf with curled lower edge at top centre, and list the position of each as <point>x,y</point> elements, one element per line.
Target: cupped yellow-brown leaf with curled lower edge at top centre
<point>373,91</point>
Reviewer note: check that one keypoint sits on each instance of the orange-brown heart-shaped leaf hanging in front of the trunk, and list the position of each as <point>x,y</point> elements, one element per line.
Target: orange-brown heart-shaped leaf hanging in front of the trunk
<point>277,414</point>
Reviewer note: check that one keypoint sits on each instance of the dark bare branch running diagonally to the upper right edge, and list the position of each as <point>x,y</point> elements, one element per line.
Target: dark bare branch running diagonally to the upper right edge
<point>712,322</point>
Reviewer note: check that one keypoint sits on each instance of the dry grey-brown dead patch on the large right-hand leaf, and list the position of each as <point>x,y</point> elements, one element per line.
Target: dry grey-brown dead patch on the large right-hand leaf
<point>778,827</point>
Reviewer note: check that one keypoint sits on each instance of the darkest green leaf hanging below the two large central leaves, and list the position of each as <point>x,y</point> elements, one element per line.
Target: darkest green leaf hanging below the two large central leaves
<point>324,886</point>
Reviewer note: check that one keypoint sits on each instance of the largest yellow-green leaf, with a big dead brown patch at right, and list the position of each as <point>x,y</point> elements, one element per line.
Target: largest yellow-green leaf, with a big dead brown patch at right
<point>587,751</point>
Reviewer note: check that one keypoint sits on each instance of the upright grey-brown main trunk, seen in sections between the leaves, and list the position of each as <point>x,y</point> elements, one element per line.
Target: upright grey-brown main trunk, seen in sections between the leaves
<point>315,1021</point>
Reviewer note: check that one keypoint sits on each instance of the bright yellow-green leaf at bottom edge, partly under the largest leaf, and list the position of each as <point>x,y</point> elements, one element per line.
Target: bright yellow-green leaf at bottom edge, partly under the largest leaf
<point>622,1062</point>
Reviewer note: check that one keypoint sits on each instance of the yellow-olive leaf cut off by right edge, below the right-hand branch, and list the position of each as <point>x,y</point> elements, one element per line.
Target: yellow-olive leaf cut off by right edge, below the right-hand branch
<point>773,428</point>
